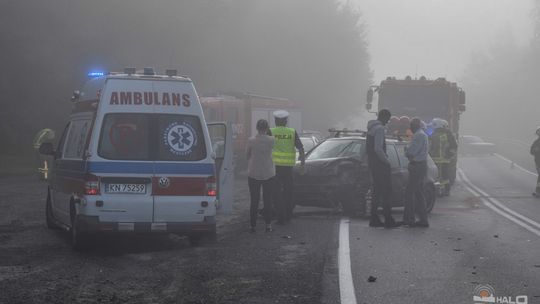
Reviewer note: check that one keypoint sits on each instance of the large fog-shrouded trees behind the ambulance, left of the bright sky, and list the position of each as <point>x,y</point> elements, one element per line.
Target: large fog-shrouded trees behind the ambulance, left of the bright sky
<point>310,51</point>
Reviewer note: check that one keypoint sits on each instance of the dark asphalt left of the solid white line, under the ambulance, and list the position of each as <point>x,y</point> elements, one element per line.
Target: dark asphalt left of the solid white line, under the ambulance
<point>37,265</point>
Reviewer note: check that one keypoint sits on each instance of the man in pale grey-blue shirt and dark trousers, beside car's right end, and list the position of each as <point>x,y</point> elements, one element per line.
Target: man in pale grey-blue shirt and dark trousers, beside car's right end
<point>417,152</point>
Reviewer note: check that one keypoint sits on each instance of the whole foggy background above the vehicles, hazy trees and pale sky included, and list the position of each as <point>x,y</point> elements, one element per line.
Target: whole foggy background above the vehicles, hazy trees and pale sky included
<point>322,54</point>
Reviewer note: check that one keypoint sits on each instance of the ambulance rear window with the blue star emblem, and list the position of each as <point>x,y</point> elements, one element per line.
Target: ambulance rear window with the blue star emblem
<point>139,136</point>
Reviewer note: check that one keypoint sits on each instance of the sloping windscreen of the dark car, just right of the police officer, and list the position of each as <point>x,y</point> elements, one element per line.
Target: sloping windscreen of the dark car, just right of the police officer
<point>338,148</point>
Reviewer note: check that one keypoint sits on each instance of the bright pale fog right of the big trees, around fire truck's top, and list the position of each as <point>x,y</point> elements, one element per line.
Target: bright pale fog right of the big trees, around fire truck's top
<point>487,47</point>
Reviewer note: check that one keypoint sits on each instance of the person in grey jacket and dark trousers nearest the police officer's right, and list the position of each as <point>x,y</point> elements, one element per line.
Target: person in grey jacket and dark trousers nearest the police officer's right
<point>379,165</point>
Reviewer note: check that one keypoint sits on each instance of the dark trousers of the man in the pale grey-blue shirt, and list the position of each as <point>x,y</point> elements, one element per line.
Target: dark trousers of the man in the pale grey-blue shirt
<point>415,202</point>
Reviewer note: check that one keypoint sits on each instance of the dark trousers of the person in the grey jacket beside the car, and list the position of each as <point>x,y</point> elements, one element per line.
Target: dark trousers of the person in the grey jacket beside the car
<point>382,190</point>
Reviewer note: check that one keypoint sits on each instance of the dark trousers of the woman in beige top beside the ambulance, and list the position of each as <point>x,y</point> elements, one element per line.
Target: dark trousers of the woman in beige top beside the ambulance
<point>255,194</point>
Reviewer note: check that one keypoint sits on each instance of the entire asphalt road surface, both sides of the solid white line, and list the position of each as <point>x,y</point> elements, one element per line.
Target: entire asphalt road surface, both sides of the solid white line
<point>486,232</point>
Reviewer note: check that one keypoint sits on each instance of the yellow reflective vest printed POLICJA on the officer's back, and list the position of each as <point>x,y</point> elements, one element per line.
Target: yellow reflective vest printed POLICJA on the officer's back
<point>284,153</point>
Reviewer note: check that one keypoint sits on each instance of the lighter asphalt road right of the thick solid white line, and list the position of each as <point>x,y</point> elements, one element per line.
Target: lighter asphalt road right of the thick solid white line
<point>471,241</point>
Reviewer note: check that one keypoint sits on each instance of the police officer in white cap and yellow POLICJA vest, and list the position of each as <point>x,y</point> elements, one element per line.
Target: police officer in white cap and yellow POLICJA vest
<point>284,157</point>
